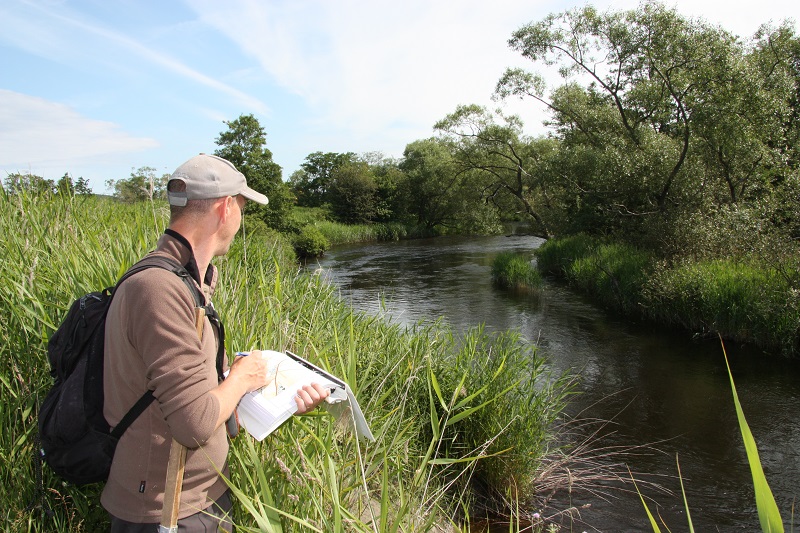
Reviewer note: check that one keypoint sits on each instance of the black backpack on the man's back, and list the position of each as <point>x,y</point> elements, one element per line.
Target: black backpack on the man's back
<point>76,440</point>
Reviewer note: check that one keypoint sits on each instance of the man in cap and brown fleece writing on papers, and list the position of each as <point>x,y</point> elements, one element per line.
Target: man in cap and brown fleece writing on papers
<point>151,342</point>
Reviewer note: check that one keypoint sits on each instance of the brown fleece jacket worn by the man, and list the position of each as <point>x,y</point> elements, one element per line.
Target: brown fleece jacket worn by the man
<point>151,343</point>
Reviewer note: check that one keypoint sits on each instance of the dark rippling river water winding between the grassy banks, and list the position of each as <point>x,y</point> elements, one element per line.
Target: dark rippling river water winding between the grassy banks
<point>656,386</point>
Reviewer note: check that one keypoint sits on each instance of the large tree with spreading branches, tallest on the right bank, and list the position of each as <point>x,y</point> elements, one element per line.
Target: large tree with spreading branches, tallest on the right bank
<point>662,114</point>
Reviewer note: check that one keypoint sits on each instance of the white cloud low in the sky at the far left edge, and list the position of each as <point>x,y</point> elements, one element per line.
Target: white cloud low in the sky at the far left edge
<point>38,135</point>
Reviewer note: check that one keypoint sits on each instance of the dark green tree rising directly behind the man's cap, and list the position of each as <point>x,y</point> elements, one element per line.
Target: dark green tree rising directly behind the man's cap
<point>244,145</point>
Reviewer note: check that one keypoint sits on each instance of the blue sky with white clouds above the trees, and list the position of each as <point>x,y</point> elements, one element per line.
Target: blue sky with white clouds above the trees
<point>100,88</point>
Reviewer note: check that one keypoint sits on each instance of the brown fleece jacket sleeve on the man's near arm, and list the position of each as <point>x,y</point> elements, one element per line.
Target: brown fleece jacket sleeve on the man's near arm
<point>180,367</point>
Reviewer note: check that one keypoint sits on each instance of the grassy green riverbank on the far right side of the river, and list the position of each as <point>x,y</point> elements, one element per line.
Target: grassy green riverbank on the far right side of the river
<point>740,299</point>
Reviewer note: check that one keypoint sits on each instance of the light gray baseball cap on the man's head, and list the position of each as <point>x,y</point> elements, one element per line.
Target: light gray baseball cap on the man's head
<point>208,176</point>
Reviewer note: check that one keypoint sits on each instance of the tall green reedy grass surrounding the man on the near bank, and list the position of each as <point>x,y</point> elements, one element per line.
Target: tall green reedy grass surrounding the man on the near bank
<point>459,422</point>
